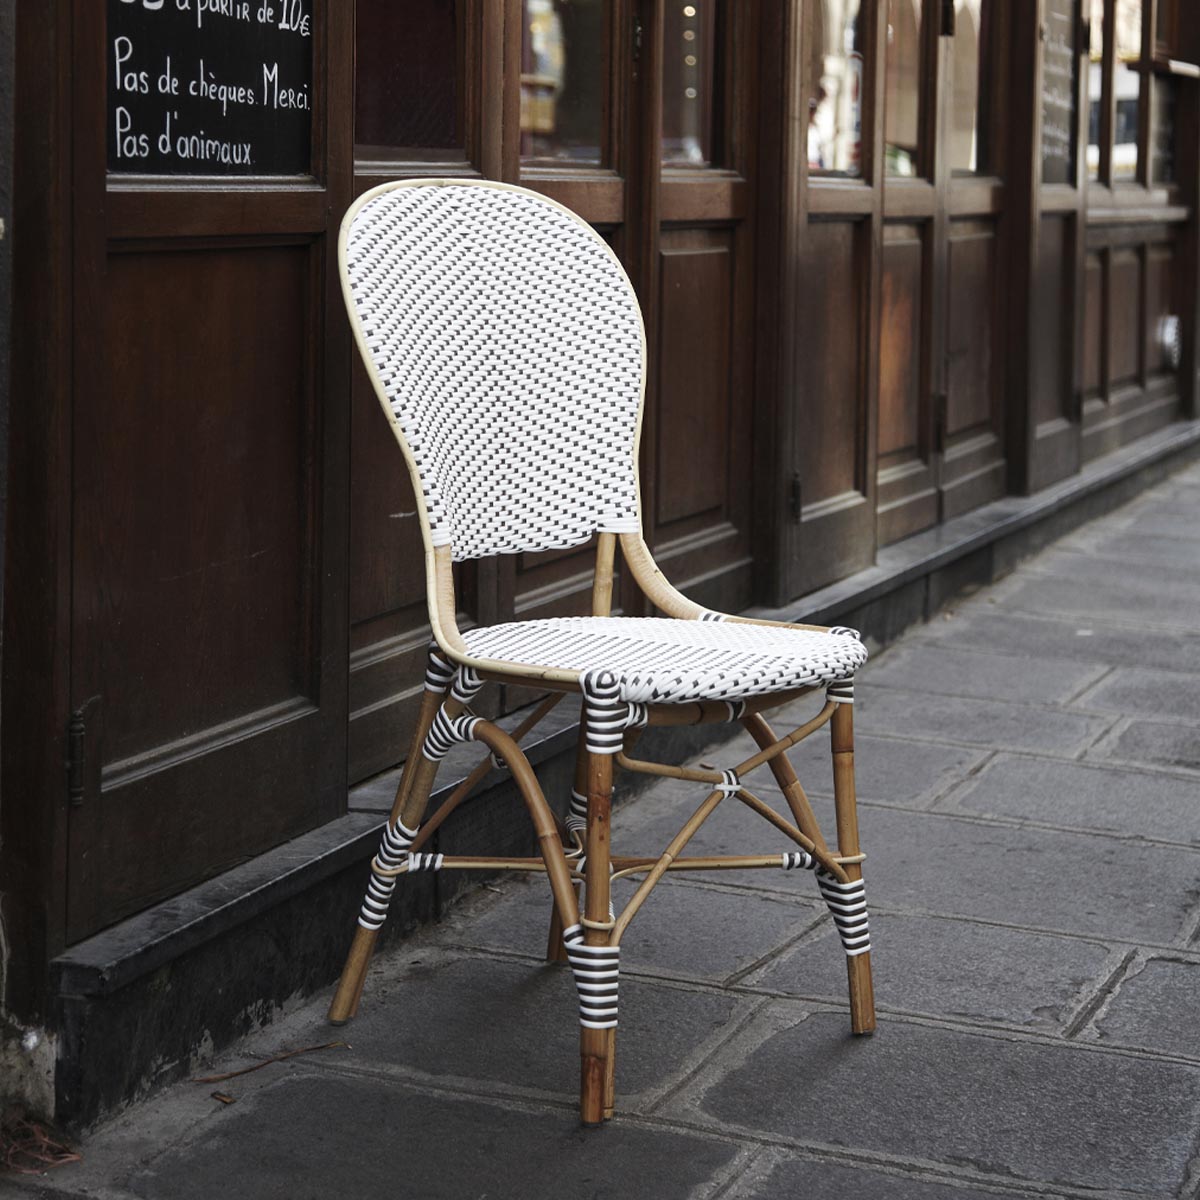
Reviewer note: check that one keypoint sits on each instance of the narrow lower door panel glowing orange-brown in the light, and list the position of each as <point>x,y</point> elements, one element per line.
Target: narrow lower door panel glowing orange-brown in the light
<point>908,491</point>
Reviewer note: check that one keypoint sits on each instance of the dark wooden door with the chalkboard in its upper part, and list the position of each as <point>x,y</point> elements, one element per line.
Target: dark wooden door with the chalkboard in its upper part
<point>209,447</point>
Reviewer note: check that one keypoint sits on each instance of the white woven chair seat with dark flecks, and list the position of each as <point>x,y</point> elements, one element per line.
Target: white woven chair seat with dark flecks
<point>663,661</point>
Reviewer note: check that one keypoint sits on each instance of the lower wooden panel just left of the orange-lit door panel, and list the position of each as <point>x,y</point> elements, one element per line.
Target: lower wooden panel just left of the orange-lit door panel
<point>837,523</point>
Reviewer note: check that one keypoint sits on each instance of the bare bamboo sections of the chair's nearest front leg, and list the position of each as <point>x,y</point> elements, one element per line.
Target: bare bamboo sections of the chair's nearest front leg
<point>597,1046</point>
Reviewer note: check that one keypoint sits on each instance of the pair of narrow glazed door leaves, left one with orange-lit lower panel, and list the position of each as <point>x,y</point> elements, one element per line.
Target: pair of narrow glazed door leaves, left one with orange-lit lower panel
<point>943,333</point>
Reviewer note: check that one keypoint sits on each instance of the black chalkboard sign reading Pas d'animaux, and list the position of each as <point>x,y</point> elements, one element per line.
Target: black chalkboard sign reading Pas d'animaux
<point>211,87</point>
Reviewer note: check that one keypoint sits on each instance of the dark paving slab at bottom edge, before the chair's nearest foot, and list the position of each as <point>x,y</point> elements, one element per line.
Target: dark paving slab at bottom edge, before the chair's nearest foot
<point>317,1137</point>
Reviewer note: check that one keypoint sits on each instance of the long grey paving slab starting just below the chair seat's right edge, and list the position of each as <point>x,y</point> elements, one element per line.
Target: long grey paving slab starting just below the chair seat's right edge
<point>987,723</point>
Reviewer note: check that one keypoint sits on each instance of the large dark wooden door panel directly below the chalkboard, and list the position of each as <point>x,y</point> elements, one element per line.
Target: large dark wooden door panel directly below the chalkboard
<point>194,509</point>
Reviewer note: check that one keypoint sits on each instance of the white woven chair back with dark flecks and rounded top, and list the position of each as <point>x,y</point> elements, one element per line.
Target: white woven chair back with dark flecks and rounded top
<point>508,345</point>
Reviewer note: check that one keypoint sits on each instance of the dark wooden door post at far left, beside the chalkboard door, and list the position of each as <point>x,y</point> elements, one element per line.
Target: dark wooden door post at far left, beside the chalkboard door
<point>38,615</point>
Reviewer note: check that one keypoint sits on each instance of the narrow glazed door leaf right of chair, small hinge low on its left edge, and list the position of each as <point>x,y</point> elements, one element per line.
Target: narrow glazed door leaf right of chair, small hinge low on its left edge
<point>832,254</point>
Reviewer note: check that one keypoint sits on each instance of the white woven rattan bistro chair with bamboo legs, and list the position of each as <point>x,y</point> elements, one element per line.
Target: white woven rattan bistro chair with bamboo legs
<point>507,349</point>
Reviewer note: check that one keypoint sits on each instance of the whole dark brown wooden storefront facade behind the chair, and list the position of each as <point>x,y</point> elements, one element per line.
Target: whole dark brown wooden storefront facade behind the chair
<point>898,260</point>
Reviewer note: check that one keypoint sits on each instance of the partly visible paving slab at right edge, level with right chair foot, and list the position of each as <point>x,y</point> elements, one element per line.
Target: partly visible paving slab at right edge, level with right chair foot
<point>1157,1007</point>
